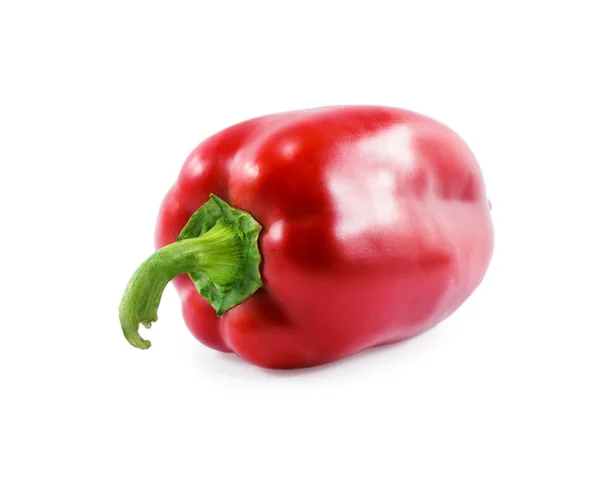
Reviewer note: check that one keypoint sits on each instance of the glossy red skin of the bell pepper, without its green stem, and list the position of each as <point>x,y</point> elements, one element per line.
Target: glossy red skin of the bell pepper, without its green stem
<point>376,227</point>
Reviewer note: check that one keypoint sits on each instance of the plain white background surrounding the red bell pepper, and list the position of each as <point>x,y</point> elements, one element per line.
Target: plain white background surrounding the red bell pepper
<point>100,104</point>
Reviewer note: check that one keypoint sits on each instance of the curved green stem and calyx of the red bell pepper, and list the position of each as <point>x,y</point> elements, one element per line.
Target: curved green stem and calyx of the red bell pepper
<point>218,249</point>
